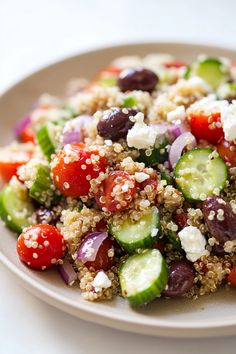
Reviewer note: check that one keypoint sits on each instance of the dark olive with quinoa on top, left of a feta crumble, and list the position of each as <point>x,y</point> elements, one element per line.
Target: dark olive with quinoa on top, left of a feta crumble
<point>116,123</point>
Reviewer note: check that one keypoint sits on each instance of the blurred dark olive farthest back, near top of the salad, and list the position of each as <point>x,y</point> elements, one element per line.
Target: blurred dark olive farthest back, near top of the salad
<point>137,79</point>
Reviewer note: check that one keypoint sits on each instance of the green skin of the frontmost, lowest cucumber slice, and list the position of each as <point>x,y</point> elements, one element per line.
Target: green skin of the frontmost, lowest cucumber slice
<point>154,291</point>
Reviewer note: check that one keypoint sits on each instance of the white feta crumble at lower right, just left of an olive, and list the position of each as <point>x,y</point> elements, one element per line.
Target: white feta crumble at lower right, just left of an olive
<point>193,243</point>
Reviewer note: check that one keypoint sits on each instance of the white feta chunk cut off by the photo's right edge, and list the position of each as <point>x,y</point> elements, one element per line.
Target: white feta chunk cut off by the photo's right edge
<point>228,119</point>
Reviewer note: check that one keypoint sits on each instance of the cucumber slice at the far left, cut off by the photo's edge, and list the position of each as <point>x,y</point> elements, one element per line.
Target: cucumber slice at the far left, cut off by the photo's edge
<point>15,209</point>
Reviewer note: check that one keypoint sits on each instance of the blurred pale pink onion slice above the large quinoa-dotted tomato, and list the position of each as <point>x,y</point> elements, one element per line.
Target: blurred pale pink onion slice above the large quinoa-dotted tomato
<point>73,130</point>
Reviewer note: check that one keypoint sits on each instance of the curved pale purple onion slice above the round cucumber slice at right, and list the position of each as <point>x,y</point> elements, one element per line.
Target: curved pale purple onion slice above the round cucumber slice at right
<point>178,146</point>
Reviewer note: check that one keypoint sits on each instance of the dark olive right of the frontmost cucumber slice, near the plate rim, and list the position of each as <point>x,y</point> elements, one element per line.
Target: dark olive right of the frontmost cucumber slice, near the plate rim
<point>180,279</point>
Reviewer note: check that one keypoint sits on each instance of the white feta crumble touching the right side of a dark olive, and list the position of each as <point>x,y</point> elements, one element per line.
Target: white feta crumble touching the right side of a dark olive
<point>141,136</point>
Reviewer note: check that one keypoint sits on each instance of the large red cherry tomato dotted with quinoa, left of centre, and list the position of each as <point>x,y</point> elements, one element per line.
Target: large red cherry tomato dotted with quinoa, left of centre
<point>74,166</point>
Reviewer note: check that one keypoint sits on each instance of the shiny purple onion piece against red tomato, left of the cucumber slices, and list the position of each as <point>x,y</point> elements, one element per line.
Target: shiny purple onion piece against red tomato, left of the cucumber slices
<point>89,246</point>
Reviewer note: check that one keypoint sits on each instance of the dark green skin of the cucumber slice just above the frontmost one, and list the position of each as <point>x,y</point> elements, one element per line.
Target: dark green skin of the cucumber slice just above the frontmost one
<point>147,242</point>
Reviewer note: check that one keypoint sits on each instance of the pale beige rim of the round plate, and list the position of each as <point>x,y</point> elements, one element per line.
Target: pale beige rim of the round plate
<point>206,329</point>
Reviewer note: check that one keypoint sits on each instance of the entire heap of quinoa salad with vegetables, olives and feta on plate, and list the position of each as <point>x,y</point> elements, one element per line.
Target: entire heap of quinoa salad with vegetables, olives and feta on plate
<point>127,184</point>
